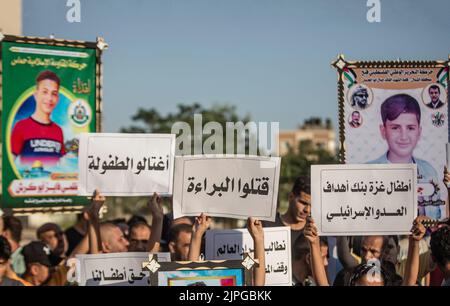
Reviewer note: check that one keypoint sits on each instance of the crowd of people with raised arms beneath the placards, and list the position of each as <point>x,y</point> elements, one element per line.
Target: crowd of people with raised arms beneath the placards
<point>422,258</point>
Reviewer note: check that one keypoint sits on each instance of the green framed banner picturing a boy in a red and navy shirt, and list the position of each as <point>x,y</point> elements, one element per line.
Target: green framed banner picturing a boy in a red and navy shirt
<point>49,96</point>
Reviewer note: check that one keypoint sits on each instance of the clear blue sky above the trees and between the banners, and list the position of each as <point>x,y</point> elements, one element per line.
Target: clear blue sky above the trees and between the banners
<point>271,58</point>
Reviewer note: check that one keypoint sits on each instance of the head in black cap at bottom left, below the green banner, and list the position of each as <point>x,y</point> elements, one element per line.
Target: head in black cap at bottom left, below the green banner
<point>37,262</point>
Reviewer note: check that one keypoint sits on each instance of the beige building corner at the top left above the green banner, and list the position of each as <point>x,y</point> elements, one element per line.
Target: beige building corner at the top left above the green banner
<point>11,17</point>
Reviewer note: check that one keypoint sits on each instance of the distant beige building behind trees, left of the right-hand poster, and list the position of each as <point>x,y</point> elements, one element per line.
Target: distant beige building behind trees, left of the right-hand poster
<point>314,132</point>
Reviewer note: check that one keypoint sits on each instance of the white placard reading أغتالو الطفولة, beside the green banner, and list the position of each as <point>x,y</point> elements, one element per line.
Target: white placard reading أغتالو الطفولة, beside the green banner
<point>126,164</point>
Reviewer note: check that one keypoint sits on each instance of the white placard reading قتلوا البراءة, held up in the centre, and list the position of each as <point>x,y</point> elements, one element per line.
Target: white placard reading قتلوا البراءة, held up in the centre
<point>229,186</point>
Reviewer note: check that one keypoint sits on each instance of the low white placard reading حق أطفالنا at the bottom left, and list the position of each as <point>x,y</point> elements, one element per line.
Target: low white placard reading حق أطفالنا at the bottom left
<point>114,269</point>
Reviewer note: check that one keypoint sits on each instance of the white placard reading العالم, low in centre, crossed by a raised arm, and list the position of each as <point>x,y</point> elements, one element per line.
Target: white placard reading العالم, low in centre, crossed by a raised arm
<point>232,244</point>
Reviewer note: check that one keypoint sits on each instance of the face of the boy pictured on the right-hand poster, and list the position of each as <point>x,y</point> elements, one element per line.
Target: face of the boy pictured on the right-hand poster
<point>402,134</point>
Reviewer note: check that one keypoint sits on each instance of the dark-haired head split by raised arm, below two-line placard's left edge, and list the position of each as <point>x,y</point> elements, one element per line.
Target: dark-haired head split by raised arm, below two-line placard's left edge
<point>301,256</point>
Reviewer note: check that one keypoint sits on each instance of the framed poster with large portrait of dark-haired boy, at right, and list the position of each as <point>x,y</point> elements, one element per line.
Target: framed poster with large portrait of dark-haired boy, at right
<point>397,112</point>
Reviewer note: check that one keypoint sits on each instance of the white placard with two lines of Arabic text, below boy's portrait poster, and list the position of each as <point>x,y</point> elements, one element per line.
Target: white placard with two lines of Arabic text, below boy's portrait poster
<point>367,199</point>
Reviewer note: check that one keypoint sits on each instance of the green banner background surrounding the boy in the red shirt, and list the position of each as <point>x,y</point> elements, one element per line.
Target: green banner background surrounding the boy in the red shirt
<point>78,83</point>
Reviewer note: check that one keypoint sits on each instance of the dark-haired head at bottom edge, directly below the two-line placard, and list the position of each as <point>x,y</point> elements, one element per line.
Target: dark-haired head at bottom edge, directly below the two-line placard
<point>369,274</point>
